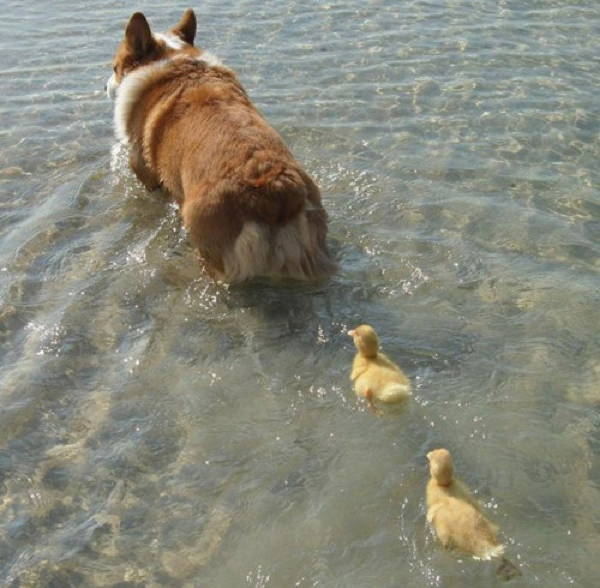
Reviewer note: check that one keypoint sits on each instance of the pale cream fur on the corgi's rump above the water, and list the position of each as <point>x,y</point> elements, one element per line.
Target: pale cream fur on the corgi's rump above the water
<point>292,251</point>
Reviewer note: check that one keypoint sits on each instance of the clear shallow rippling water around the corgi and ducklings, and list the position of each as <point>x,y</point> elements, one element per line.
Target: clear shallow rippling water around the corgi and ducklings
<point>159,430</point>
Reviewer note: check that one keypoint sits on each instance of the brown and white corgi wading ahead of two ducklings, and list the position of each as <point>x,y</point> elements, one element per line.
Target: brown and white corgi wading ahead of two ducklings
<point>191,129</point>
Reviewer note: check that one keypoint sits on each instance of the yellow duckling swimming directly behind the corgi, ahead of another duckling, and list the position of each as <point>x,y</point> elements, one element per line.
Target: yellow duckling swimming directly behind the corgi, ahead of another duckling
<point>374,375</point>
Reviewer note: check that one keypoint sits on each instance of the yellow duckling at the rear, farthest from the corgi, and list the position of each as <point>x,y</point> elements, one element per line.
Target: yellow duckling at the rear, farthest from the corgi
<point>457,518</point>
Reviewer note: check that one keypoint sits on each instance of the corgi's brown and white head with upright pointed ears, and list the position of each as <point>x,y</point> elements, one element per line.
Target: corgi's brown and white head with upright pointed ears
<point>141,47</point>
